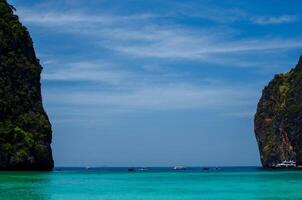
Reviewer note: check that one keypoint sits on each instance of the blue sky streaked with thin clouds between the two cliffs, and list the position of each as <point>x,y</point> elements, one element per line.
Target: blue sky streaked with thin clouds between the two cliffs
<point>158,83</point>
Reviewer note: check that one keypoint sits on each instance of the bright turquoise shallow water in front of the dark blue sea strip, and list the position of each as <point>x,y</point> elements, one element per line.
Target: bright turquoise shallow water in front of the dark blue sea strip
<point>153,184</point>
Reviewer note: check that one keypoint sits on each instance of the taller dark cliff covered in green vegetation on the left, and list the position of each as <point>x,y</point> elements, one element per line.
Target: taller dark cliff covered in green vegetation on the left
<point>25,131</point>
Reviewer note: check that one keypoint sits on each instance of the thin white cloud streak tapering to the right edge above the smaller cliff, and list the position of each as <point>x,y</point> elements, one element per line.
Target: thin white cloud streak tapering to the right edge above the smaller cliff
<point>192,47</point>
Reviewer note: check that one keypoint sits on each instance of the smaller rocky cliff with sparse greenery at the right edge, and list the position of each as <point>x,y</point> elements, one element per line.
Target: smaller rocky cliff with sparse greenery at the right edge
<point>278,121</point>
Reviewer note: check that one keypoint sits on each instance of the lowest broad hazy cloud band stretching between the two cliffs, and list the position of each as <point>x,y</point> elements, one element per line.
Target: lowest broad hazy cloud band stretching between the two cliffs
<point>161,97</point>
